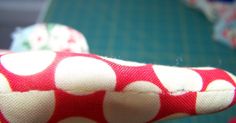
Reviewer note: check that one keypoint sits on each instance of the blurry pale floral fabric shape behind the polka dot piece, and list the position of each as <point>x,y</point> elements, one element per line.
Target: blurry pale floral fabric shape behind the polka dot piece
<point>49,36</point>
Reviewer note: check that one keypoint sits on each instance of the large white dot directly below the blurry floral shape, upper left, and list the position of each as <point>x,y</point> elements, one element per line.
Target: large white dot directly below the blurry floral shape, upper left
<point>27,63</point>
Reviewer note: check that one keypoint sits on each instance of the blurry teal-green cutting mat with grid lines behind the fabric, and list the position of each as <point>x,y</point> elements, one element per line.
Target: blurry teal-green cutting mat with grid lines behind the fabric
<point>152,31</point>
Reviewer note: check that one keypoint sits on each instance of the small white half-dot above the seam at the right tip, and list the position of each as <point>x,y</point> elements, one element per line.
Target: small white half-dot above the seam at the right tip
<point>220,85</point>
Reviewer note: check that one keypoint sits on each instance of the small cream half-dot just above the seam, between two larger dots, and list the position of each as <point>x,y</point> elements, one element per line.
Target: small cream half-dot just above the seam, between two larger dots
<point>142,86</point>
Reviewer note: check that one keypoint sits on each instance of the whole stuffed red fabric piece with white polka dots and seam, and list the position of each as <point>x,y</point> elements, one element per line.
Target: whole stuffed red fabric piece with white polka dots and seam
<point>46,86</point>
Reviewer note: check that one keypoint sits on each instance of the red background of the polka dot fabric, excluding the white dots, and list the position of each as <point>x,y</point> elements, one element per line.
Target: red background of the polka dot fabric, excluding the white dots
<point>91,106</point>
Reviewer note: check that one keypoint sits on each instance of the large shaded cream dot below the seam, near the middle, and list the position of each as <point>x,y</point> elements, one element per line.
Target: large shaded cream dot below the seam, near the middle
<point>129,107</point>
